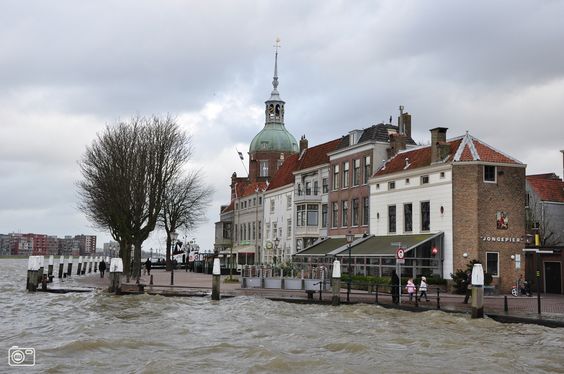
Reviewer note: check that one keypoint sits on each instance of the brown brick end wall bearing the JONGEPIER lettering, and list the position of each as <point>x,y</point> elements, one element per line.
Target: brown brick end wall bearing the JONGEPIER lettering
<point>475,204</point>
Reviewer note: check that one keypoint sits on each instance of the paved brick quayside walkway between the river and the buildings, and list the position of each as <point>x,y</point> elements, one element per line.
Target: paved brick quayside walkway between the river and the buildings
<point>188,283</point>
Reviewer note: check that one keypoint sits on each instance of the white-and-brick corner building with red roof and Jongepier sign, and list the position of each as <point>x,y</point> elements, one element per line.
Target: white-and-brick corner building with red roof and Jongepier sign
<point>463,188</point>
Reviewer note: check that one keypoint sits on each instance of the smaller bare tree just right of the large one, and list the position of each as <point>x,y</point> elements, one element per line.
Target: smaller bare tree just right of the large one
<point>186,200</point>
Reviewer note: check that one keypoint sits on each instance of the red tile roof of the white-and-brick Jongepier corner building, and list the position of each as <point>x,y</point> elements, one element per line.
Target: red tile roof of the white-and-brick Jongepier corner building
<point>462,149</point>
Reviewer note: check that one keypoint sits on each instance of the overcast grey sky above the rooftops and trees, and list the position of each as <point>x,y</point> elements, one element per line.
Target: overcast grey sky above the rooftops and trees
<point>69,68</point>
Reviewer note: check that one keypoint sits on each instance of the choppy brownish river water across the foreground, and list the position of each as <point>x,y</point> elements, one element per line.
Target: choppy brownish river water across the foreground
<point>100,333</point>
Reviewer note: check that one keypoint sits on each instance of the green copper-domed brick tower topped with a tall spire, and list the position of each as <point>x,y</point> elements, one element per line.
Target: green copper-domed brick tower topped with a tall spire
<point>273,143</point>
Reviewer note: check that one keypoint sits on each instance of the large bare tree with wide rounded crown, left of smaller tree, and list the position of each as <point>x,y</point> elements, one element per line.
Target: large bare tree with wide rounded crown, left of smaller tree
<point>125,172</point>
